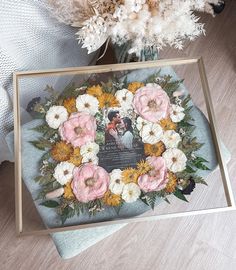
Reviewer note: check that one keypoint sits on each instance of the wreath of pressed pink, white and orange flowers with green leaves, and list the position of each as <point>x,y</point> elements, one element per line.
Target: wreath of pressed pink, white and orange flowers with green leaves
<point>71,179</point>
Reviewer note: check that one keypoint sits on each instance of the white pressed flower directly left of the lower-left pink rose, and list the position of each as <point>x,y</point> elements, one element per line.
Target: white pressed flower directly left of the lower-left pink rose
<point>63,172</point>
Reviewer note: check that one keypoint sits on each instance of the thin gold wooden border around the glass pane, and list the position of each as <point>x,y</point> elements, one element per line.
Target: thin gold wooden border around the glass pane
<point>109,68</point>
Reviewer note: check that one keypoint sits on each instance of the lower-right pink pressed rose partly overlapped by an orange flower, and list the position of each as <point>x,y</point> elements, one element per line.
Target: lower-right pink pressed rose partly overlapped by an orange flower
<point>156,179</point>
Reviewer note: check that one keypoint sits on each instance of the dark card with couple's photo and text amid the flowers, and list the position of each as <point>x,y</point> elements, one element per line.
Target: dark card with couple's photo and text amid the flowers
<point>120,148</point>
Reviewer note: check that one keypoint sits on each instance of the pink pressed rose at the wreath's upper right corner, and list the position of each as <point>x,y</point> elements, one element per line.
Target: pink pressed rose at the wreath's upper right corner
<point>152,103</point>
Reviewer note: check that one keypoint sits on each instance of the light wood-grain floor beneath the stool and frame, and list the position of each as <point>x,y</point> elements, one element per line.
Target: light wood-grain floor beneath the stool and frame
<point>193,243</point>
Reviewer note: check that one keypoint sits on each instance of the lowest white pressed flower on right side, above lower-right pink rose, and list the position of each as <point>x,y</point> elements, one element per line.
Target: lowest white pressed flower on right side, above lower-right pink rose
<point>175,159</point>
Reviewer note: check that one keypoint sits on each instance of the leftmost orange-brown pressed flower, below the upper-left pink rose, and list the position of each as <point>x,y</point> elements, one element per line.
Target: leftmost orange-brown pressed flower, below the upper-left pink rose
<point>61,151</point>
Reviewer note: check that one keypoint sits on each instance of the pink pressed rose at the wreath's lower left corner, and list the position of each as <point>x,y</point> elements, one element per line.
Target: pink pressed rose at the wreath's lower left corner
<point>90,182</point>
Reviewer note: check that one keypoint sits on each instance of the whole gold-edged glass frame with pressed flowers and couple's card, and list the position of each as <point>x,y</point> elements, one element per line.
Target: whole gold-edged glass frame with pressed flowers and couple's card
<point>109,144</point>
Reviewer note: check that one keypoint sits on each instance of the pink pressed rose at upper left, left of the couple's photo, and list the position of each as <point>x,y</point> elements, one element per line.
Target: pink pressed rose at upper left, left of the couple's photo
<point>79,129</point>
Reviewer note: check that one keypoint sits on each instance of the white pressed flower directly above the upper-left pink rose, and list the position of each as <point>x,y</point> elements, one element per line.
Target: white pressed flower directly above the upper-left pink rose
<point>87,103</point>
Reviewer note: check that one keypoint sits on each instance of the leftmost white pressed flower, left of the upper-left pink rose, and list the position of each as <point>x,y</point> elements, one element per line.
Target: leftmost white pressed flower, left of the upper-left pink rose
<point>56,115</point>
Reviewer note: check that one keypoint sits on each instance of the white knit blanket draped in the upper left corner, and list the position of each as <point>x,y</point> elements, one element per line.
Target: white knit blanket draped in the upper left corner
<point>31,39</point>
